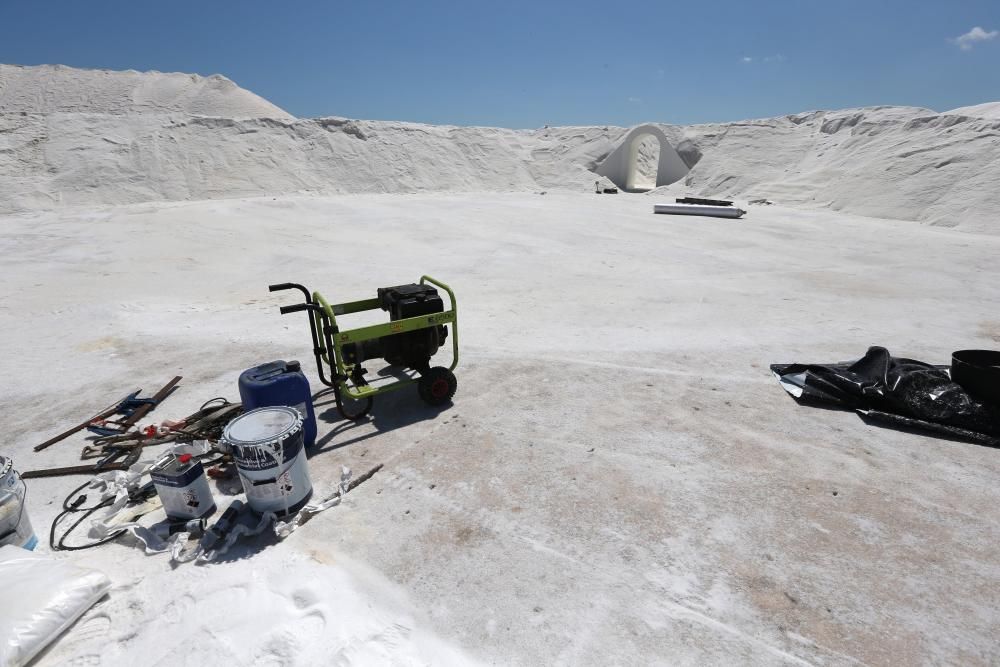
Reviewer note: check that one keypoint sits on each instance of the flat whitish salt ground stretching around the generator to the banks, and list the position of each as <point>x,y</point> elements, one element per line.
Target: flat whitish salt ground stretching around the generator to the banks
<point>619,481</point>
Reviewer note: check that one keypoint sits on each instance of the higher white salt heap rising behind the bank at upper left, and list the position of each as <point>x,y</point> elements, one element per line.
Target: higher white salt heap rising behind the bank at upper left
<point>47,89</point>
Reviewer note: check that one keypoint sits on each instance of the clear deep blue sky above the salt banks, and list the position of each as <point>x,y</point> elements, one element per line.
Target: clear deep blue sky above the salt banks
<point>528,64</point>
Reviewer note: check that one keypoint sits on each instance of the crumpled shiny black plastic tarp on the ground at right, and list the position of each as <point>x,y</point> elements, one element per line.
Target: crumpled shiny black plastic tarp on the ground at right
<point>895,391</point>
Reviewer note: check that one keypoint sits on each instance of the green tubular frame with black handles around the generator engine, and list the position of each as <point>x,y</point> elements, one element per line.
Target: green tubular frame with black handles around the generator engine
<point>347,379</point>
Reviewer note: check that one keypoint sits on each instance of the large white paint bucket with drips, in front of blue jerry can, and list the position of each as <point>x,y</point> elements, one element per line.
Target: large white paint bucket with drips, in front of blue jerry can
<point>270,458</point>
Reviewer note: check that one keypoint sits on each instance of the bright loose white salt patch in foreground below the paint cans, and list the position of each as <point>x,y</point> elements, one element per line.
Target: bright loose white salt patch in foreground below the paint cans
<point>282,607</point>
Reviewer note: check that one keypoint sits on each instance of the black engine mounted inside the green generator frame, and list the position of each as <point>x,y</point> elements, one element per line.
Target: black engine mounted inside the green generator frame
<point>410,349</point>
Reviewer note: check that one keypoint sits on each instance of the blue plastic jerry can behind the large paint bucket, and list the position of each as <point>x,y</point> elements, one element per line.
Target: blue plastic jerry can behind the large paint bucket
<point>280,383</point>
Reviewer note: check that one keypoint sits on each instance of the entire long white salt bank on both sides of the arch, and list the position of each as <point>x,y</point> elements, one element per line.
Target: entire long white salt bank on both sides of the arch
<point>72,137</point>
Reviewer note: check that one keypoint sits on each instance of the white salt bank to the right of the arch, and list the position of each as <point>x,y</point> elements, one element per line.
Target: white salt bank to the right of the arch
<point>892,162</point>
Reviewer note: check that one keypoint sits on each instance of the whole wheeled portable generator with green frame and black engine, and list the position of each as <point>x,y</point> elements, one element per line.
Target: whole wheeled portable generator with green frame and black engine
<point>417,329</point>
